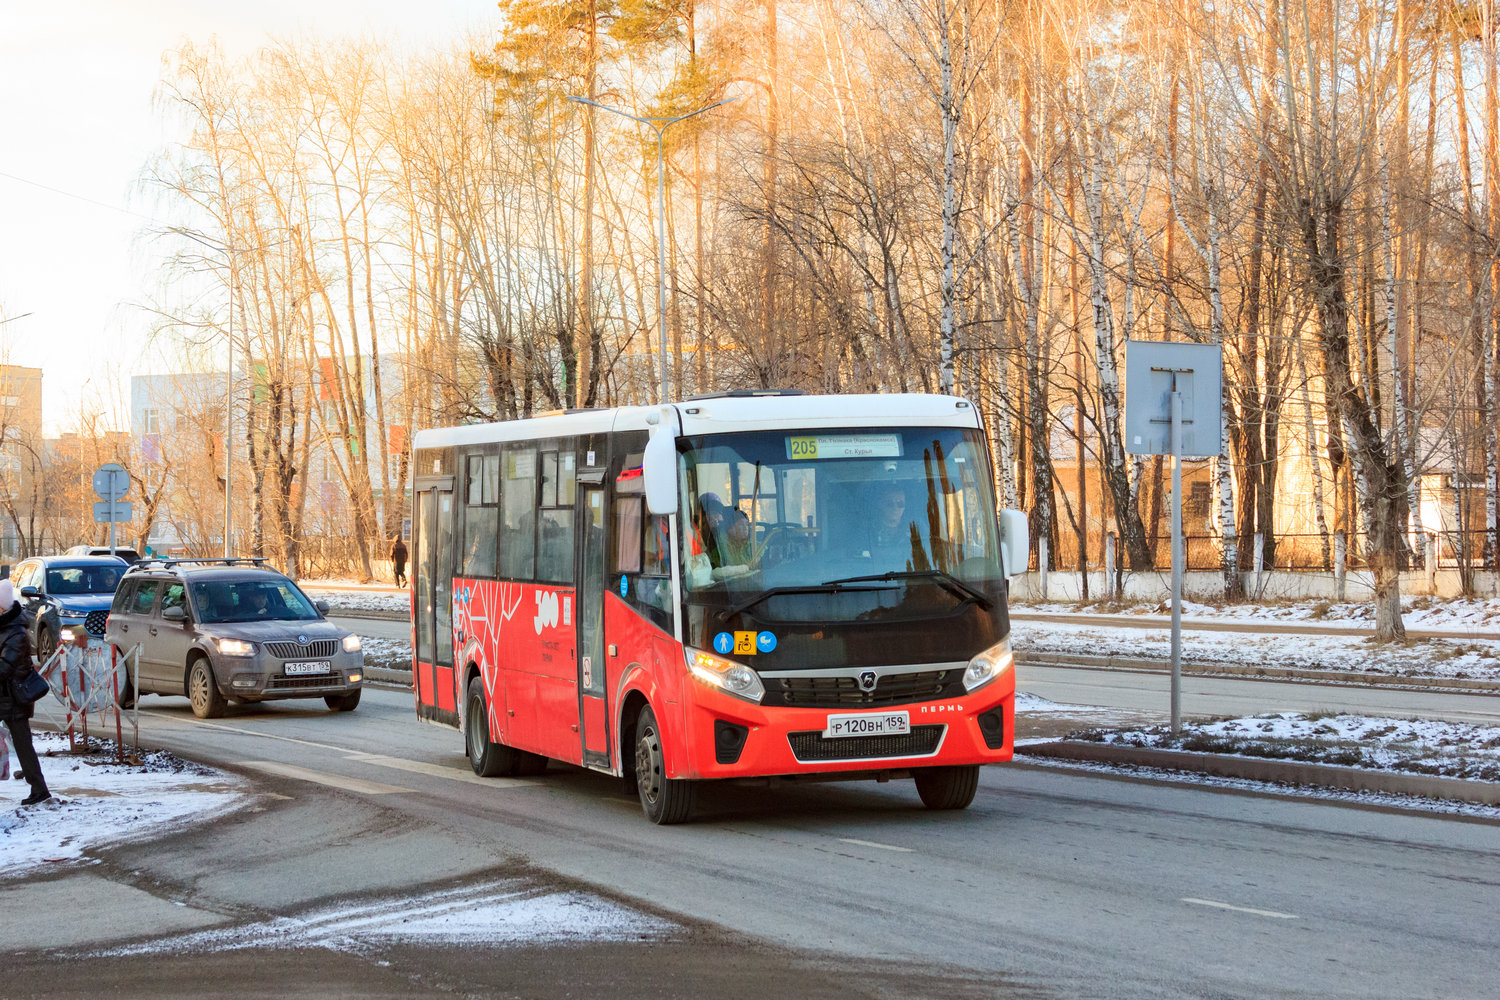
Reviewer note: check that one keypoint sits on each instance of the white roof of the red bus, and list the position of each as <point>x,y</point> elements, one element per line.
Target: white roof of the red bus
<point>722,415</point>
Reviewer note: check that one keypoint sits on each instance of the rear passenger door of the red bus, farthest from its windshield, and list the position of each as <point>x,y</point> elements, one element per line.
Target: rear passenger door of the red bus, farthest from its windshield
<point>433,564</point>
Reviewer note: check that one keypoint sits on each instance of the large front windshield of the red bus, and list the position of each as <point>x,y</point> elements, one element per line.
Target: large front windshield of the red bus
<point>839,525</point>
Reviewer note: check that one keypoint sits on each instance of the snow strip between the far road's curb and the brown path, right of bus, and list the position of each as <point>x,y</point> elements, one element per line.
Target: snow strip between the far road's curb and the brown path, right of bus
<point>1477,659</point>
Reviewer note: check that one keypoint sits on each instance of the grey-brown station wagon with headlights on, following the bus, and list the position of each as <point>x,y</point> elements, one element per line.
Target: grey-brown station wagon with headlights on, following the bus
<point>230,630</point>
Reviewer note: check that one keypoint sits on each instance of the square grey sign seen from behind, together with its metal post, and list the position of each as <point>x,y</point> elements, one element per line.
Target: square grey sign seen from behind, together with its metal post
<point>1174,406</point>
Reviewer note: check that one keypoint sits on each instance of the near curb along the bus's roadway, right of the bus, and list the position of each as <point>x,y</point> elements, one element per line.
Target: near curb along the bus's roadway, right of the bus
<point>1273,771</point>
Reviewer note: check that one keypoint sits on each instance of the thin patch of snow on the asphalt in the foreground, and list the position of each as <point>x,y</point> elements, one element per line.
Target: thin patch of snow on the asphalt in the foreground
<point>491,914</point>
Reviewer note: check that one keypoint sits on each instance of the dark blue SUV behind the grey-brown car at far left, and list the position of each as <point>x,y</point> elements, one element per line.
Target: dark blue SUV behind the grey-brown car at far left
<point>61,593</point>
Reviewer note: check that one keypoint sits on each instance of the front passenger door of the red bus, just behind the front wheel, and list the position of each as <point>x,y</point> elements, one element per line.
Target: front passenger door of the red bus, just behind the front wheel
<point>592,662</point>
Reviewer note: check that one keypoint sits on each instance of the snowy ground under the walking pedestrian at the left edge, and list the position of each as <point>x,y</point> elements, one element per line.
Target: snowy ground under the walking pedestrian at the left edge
<point>98,803</point>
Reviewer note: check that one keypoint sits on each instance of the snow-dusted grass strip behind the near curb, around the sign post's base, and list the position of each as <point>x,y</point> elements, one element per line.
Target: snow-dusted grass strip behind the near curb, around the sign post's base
<point>1450,750</point>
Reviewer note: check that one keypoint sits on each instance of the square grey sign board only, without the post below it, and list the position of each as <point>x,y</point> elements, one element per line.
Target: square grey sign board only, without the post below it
<point>1153,371</point>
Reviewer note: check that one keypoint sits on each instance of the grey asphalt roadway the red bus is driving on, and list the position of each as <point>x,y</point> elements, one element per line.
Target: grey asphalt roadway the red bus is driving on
<point>1054,884</point>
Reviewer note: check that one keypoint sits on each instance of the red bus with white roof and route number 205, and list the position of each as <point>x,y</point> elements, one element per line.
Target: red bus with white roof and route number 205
<point>734,587</point>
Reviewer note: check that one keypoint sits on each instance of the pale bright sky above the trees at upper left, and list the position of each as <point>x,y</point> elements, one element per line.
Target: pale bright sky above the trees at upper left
<point>77,127</point>
